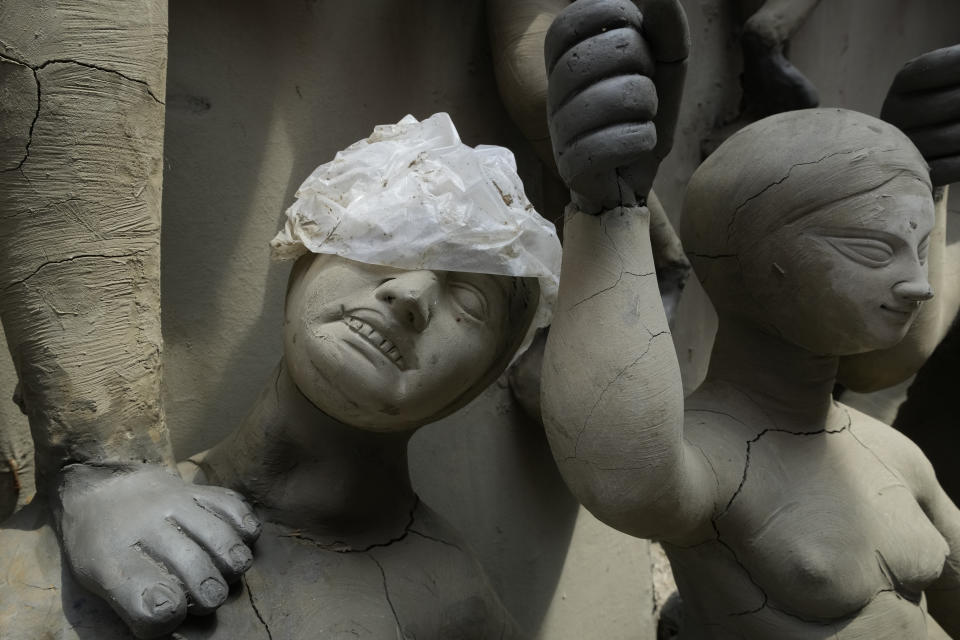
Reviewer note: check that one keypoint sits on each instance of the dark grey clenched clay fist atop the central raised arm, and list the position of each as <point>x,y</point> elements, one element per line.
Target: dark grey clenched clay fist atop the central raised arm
<point>608,66</point>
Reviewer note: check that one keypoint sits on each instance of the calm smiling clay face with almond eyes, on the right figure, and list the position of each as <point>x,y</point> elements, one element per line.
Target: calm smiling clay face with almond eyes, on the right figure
<point>851,277</point>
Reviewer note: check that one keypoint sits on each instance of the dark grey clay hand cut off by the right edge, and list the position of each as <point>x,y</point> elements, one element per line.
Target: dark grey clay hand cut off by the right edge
<point>924,102</point>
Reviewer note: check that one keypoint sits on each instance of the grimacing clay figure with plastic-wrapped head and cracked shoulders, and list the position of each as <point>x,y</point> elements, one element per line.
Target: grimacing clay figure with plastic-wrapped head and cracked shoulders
<point>372,351</point>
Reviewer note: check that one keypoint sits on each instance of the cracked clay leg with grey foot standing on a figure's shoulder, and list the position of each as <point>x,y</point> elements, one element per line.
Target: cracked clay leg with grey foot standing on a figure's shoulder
<point>81,124</point>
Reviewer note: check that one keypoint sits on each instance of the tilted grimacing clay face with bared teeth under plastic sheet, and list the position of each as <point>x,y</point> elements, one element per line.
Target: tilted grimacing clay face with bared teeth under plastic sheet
<point>386,349</point>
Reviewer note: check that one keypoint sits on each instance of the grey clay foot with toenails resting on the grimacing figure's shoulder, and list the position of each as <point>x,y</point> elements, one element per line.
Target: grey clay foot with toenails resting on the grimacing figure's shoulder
<point>151,545</point>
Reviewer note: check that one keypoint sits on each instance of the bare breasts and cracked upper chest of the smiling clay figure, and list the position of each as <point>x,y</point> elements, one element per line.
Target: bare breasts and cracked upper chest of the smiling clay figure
<point>823,526</point>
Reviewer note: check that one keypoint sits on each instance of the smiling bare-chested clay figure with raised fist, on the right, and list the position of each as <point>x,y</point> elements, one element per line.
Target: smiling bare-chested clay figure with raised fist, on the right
<point>784,513</point>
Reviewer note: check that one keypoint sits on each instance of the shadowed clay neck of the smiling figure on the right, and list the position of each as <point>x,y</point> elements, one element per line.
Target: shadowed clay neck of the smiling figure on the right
<point>790,384</point>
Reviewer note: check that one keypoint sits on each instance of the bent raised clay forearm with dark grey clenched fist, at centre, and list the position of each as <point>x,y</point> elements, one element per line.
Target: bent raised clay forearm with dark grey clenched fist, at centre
<point>612,396</point>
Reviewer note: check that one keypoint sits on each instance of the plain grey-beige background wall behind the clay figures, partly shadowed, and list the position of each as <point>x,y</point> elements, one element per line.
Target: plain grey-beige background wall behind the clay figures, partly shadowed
<point>261,93</point>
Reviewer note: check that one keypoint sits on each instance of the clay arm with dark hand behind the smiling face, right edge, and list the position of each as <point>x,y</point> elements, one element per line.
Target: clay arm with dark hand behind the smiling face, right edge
<point>924,101</point>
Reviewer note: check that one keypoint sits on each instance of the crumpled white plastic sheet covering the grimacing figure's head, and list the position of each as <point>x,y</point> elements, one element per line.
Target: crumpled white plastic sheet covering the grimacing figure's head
<point>413,196</point>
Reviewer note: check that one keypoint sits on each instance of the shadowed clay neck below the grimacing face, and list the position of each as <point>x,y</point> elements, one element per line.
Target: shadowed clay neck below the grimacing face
<point>310,471</point>
